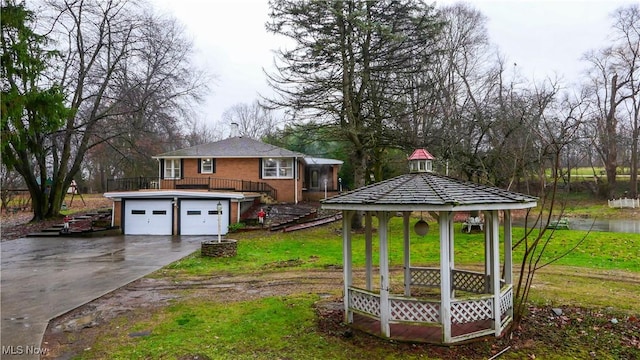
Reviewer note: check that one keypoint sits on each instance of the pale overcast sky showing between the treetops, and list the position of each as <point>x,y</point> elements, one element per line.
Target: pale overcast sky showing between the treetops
<point>544,37</point>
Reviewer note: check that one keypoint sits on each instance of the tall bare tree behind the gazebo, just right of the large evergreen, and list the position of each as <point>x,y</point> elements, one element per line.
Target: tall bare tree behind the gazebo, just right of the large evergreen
<point>465,79</point>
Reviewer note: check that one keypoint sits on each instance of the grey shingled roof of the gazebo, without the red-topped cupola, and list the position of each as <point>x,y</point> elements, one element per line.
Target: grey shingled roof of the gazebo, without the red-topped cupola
<point>428,192</point>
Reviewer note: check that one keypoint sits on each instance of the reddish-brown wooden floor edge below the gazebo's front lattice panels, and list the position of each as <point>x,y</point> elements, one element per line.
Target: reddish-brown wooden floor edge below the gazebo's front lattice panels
<point>417,333</point>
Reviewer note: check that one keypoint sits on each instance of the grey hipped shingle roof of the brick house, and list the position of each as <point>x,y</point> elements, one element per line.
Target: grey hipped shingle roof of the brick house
<point>235,147</point>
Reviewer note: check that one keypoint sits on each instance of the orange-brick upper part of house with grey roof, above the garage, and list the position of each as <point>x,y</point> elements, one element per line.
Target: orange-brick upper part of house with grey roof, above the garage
<point>245,164</point>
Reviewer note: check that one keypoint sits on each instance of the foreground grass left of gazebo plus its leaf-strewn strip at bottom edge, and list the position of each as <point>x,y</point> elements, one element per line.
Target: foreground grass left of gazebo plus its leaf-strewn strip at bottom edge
<point>270,328</point>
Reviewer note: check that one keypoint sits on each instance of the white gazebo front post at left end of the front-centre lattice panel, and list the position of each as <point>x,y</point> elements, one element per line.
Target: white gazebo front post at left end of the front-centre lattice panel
<point>385,309</point>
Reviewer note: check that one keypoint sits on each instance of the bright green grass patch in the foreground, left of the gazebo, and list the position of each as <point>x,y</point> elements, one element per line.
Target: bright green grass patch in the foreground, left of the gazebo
<point>186,326</point>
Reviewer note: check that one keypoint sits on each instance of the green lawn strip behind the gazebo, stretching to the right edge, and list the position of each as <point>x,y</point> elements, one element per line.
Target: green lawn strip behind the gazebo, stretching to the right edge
<point>322,247</point>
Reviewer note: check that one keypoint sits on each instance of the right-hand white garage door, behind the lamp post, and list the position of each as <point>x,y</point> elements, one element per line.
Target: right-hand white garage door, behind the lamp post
<point>200,217</point>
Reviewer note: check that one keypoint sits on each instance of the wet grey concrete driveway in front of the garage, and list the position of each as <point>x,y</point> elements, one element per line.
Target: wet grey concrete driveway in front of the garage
<point>42,278</point>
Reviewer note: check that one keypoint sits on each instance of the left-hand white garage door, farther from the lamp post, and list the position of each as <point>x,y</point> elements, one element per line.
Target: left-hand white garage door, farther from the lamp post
<point>148,217</point>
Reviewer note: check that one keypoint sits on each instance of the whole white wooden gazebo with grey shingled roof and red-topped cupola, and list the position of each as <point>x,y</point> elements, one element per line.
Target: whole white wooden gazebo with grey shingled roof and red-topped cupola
<point>458,305</point>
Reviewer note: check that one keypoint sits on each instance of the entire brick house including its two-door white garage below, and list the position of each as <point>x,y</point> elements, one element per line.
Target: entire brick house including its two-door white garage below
<point>228,177</point>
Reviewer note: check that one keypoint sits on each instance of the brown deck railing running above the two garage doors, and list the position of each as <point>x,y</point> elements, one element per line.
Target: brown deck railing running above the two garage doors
<point>202,183</point>
